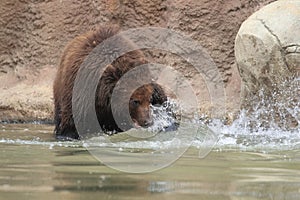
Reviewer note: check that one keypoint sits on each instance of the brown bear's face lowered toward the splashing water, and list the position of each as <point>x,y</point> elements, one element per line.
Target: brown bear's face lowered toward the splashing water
<point>139,106</point>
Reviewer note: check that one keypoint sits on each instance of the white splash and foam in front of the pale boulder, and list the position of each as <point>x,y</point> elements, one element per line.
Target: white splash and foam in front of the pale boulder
<point>272,121</point>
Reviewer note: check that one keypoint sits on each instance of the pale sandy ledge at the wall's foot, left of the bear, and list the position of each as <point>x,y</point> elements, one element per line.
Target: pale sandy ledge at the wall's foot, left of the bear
<point>27,98</point>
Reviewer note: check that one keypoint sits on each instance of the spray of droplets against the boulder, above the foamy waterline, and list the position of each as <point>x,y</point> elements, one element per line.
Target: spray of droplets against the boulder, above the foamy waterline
<point>276,109</point>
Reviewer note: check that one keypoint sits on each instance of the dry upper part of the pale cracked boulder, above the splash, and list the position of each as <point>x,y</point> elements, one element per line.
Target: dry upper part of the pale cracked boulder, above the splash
<point>267,47</point>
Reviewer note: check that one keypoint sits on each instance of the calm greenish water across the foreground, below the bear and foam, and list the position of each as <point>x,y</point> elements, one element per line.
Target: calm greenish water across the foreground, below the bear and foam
<point>35,166</point>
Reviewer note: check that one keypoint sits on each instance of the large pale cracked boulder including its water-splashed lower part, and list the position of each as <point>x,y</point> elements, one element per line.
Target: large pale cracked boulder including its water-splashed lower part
<point>267,50</point>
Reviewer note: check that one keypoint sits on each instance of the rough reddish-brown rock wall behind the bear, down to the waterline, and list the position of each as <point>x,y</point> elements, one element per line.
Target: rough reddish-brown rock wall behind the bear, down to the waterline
<point>34,33</point>
